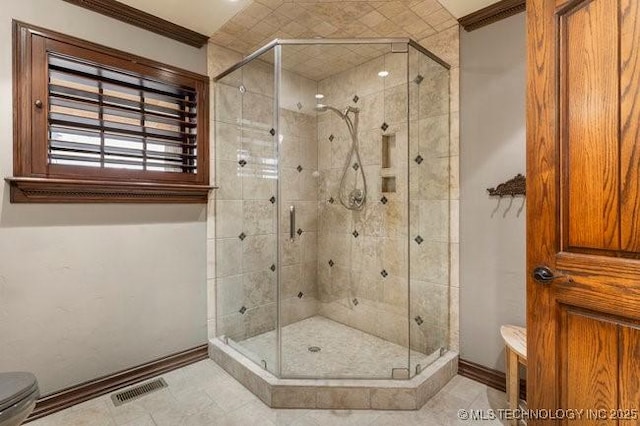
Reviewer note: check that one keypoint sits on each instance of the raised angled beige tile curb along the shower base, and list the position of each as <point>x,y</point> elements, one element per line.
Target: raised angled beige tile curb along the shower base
<point>366,394</point>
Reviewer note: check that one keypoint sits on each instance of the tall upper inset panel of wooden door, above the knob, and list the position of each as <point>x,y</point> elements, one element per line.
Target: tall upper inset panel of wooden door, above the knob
<point>589,123</point>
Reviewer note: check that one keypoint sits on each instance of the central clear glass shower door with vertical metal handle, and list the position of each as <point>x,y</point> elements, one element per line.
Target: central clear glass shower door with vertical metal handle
<point>343,220</point>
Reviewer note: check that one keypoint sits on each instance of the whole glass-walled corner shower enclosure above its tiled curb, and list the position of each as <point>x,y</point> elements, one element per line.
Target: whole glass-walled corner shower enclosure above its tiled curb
<point>332,213</point>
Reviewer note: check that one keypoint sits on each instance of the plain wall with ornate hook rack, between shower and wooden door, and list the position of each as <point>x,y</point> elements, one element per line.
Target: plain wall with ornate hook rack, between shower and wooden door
<point>492,150</point>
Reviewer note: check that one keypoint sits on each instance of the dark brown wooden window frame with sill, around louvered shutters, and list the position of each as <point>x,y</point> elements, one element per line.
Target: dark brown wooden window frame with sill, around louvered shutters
<point>36,180</point>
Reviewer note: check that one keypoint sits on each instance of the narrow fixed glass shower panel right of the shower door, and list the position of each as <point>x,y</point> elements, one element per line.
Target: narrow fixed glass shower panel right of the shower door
<point>429,203</point>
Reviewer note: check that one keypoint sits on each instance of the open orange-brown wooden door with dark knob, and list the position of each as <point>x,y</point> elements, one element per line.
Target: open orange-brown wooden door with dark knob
<point>583,208</point>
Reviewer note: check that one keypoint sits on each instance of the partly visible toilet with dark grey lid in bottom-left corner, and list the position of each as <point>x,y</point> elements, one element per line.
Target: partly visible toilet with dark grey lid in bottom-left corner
<point>18,394</point>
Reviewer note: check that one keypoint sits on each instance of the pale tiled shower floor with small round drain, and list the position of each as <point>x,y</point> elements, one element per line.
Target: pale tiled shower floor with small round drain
<point>344,351</point>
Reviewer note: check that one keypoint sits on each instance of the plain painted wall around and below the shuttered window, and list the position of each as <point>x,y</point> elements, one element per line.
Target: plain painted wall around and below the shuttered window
<point>86,290</point>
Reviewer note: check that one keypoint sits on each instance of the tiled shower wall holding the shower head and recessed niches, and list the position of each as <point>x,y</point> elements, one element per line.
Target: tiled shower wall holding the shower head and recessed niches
<point>362,262</point>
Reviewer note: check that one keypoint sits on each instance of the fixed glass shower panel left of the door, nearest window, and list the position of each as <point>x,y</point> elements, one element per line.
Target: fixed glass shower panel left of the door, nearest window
<point>246,243</point>
